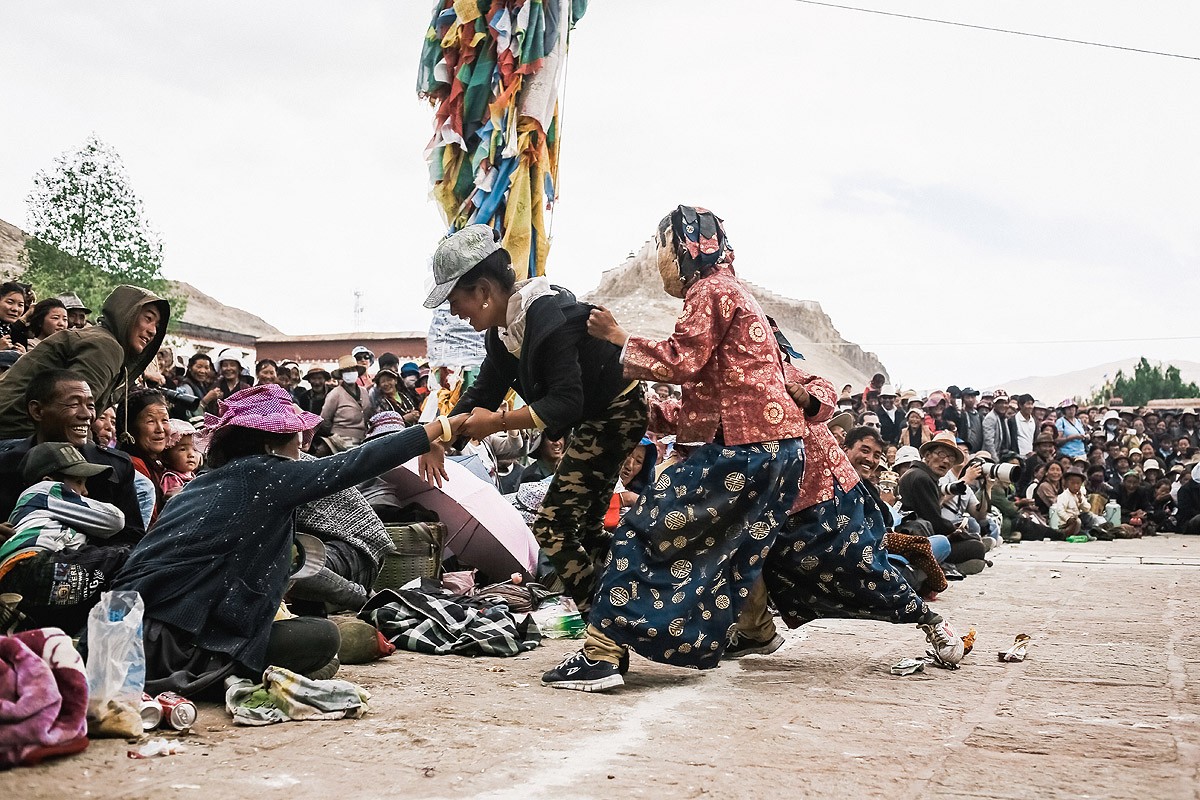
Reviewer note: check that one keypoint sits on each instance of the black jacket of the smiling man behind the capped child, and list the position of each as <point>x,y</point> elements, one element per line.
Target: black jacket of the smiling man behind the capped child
<point>116,488</point>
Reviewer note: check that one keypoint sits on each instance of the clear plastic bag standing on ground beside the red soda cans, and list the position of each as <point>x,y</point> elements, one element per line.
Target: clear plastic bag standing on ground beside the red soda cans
<point>117,665</point>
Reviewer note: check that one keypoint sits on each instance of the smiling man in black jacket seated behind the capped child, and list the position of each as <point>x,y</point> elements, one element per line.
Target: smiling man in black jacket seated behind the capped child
<point>62,408</point>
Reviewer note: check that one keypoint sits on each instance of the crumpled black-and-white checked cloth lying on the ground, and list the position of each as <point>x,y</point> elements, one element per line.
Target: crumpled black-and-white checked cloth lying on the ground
<point>434,622</point>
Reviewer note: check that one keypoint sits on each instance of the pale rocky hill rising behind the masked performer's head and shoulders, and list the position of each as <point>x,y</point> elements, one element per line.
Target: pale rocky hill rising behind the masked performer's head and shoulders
<point>634,293</point>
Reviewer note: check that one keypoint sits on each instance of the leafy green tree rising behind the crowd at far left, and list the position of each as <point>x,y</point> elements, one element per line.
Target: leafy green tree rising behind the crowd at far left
<point>88,233</point>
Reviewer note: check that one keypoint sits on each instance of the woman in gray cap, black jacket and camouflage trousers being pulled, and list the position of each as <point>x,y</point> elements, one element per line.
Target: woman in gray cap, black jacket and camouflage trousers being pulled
<point>538,345</point>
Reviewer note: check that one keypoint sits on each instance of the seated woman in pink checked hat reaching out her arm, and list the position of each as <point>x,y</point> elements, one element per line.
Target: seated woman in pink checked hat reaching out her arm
<point>214,569</point>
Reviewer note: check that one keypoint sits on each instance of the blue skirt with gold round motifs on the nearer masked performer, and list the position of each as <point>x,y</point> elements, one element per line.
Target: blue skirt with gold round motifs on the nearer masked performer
<point>685,558</point>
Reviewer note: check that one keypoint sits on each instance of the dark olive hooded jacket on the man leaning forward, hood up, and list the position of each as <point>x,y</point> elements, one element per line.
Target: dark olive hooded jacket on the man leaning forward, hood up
<point>101,354</point>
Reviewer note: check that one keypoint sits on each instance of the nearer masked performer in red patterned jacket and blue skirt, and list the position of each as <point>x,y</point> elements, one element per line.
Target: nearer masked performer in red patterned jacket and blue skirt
<point>686,557</point>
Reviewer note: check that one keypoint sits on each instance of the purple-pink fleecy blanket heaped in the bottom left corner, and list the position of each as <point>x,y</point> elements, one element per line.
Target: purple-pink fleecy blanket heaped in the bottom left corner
<point>44,697</point>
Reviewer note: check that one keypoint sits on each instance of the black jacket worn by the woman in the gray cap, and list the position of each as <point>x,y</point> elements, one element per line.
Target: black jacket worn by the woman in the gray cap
<point>563,375</point>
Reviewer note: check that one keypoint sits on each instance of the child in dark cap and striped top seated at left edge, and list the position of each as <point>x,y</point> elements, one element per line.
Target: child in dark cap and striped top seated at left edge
<point>51,560</point>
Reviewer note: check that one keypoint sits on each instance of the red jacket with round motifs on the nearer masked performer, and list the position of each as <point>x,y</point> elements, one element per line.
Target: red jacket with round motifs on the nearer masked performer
<point>727,360</point>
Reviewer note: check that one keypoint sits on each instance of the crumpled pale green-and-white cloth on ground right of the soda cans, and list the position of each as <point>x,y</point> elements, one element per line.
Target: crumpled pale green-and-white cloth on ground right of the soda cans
<point>285,696</point>
